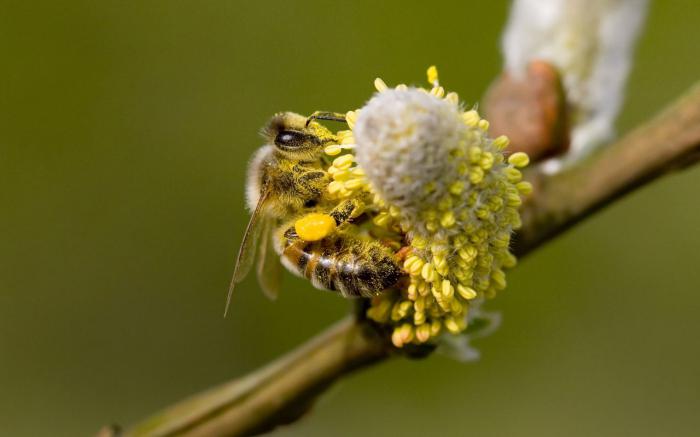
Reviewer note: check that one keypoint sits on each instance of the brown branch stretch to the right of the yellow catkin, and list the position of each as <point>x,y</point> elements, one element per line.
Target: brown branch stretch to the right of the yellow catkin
<point>669,141</point>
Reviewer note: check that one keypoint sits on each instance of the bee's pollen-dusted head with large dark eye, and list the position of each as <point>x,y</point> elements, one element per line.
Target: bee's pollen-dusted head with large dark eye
<point>297,137</point>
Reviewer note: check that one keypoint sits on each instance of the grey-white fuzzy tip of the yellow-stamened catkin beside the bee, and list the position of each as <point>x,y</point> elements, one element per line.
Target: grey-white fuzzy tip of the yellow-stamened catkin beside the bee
<point>404,141</point>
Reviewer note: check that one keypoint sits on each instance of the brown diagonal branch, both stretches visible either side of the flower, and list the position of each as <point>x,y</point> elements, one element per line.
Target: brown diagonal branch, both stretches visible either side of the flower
<point>282,391</point>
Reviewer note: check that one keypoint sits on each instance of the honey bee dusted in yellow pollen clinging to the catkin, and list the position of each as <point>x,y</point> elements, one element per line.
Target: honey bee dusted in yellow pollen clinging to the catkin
<point>287,182</point>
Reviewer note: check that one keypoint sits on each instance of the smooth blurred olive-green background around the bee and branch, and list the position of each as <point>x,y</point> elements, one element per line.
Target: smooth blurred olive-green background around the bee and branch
<point>125,128</point>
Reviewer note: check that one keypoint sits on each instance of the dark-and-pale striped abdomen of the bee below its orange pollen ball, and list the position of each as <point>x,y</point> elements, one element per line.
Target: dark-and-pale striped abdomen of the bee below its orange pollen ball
<point>343,264</point>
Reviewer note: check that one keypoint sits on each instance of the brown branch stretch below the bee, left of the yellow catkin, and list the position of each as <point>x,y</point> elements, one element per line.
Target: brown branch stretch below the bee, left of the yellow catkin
<point>278,393</point>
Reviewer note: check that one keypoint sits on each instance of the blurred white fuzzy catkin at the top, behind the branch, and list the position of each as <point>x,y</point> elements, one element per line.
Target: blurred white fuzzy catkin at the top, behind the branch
<point>591,42</point>
